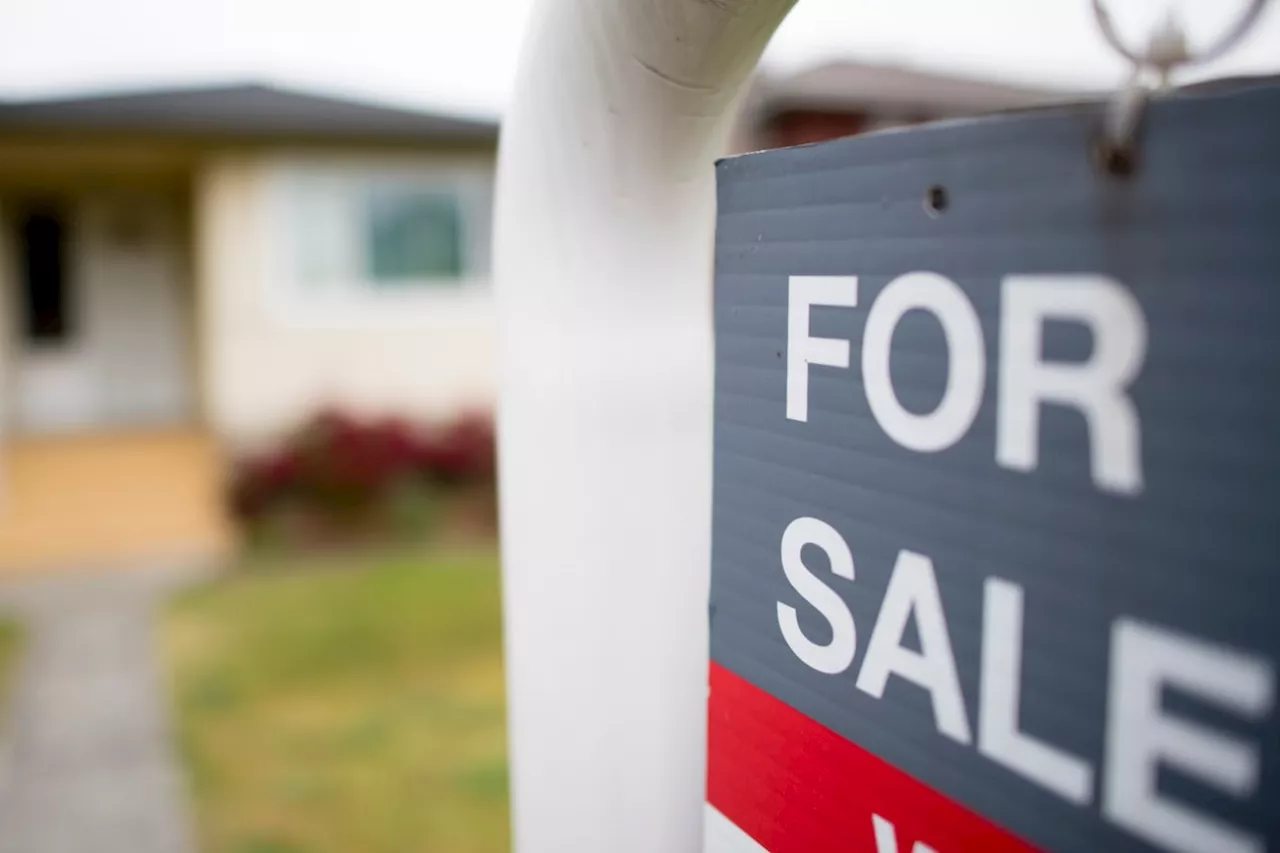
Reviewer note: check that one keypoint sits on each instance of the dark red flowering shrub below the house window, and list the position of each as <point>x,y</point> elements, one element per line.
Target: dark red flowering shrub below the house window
<point>348,473</point>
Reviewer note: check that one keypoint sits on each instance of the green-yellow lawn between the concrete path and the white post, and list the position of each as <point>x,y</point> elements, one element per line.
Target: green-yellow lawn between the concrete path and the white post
<point>356,709</point>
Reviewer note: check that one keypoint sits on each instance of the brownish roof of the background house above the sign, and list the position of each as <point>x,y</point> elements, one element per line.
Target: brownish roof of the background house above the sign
<point>884,89</point>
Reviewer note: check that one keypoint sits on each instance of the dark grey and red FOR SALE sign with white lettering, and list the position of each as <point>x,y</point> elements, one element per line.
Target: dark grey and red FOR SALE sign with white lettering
<point>996,553</point>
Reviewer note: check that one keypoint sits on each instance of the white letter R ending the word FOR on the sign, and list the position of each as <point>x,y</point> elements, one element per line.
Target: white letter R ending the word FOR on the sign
<point>1098,389</point>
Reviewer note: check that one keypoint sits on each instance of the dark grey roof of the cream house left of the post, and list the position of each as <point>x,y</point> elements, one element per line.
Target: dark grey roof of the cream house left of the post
<point>239,112</point>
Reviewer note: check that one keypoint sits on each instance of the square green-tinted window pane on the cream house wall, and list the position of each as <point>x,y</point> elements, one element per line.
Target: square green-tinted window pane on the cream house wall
<point>414,235</point>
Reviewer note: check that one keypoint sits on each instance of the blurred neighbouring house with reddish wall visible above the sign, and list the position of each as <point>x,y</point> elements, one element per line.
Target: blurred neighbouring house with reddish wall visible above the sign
<point>844,99</point>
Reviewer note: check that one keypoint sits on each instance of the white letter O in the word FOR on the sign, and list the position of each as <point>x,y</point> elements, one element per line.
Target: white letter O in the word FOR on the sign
<point>967,362</point>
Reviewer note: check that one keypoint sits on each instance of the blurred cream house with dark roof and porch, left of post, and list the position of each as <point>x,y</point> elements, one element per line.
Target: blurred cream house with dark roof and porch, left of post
<point>198,270</point>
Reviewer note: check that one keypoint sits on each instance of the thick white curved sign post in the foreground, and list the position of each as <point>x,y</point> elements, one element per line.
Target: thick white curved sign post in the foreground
<point>604,273</point>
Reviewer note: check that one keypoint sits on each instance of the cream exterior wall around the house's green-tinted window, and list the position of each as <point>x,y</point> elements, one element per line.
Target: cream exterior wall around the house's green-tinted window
<point>275,349</point>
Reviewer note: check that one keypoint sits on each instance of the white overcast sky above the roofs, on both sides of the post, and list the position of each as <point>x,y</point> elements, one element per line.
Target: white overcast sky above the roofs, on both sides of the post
<point>461,56</point>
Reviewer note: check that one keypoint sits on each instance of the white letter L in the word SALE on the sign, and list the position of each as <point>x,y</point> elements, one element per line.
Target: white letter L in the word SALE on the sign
<point>1000,688</point>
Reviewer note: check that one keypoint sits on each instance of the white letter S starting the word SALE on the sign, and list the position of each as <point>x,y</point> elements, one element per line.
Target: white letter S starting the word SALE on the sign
<point>839,654</point>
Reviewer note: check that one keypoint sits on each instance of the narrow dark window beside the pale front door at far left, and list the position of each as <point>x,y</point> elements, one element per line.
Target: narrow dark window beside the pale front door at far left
<point>43,268</point>
